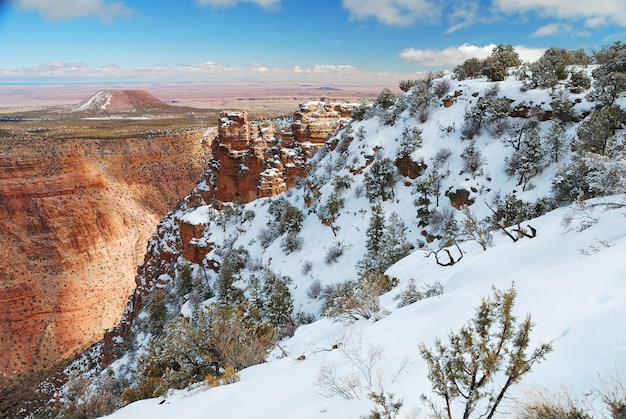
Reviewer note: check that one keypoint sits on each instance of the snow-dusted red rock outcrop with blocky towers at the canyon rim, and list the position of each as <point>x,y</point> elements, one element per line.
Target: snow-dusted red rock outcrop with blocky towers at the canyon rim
<point>253,160</point>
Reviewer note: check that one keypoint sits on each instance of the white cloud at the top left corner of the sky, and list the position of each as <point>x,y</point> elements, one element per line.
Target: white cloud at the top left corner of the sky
<point>56,10</point>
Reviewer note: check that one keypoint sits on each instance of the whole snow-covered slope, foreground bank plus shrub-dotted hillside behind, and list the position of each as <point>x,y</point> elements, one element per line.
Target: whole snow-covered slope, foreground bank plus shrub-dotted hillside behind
<point>569,279</point>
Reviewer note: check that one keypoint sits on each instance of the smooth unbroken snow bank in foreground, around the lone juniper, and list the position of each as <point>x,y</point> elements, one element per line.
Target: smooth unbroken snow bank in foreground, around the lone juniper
<point>571,282</point>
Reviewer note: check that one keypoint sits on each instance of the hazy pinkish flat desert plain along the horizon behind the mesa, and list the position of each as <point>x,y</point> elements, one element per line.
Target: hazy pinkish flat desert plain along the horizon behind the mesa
<point>271,98</point>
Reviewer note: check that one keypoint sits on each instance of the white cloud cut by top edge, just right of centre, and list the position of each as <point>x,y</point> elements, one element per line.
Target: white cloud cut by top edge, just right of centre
<point>394,12</point>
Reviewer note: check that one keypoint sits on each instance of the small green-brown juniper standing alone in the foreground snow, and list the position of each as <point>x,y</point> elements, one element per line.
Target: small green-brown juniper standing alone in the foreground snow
<point>484,358</point>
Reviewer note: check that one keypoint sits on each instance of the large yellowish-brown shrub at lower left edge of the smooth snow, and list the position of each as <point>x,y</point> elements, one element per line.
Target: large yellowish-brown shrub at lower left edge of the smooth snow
<point>188,350</point>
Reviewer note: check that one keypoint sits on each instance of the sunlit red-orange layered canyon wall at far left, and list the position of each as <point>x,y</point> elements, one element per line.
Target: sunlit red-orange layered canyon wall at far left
<point>74,220</point>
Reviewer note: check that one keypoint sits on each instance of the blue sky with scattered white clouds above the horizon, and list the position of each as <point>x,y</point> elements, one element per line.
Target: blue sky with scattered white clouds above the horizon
<point>360,41</point>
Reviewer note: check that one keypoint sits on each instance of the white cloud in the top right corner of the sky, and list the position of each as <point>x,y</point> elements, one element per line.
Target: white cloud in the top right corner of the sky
<point>592,13</point>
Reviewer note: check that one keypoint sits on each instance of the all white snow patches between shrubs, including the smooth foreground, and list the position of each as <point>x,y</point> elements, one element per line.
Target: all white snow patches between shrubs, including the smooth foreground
<point>570,281</point>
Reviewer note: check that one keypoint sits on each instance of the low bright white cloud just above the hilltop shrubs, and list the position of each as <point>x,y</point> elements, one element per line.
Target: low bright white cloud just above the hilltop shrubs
<point>453,56</point>
